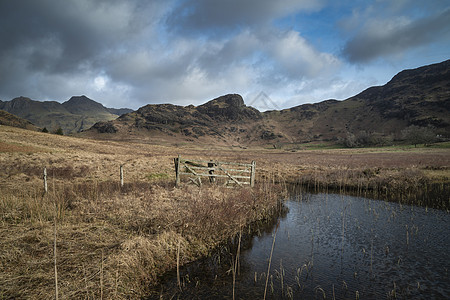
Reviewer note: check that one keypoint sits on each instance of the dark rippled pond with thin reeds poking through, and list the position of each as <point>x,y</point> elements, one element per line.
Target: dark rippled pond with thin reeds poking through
<point>329,246</point>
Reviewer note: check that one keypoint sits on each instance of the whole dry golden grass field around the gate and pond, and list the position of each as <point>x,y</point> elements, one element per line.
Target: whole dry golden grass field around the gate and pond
<point>114,242</point>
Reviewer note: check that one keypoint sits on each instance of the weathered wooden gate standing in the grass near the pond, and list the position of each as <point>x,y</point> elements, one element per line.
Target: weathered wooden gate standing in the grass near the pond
<point>226,173</point>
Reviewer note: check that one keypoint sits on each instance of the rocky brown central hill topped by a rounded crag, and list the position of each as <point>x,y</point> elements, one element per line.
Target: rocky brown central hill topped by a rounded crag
<point>225,120</point>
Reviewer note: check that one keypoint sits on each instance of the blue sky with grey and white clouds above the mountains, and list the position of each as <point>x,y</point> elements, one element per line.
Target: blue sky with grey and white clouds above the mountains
<point>276,54</point>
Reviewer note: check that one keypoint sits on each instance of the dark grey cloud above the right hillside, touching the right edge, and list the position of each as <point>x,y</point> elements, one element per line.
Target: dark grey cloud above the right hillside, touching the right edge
<point>389,37</point>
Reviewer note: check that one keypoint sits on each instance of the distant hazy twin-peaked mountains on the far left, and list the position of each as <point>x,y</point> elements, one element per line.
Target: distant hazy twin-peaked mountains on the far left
<point>74,115</point>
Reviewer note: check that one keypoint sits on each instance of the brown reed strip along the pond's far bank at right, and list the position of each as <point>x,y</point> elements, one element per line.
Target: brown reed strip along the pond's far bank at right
<point>409,186</point>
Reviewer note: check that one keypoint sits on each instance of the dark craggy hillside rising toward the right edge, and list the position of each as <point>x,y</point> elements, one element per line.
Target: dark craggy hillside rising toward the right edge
<point>418,97</point>
